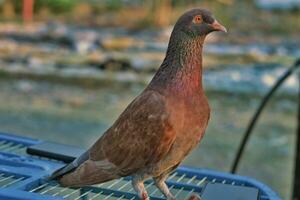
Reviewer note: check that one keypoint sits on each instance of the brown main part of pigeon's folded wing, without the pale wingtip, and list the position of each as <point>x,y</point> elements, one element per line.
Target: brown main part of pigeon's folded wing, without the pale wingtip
<point>142,135</point>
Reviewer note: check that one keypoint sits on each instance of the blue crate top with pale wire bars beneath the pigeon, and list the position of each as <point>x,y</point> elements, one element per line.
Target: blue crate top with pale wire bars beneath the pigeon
<point>22,176</point>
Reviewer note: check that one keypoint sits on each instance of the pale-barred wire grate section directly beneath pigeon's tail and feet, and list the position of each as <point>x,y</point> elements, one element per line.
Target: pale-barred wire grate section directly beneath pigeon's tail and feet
<point>179,184</point>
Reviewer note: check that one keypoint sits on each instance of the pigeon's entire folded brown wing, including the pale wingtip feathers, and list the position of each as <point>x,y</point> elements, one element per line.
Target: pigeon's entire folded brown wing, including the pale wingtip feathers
<point>141,135</point>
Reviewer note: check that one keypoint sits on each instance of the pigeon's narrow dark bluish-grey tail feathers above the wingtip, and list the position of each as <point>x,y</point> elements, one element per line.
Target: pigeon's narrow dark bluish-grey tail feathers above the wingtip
<point>69,167</point>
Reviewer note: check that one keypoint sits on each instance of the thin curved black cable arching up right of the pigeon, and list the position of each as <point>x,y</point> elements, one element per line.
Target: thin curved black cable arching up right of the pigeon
<point>255,117</point>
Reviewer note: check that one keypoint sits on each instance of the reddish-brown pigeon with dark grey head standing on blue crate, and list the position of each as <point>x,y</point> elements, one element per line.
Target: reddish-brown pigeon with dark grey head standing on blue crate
<point>161,126</point>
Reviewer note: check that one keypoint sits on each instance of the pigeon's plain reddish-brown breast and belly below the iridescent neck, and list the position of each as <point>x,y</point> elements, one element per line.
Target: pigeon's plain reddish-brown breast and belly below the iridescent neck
<point>189,119</point>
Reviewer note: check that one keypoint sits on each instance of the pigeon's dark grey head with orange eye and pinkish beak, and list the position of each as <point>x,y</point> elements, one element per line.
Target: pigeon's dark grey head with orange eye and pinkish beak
<point>198,22</point>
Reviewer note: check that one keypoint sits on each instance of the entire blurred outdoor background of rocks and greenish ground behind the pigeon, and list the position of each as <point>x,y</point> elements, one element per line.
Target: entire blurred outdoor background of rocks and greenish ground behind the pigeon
<point>69,67</point>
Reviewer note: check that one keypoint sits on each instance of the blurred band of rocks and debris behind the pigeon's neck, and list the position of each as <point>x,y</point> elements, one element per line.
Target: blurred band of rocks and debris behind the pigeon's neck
<point>91,56</point>
